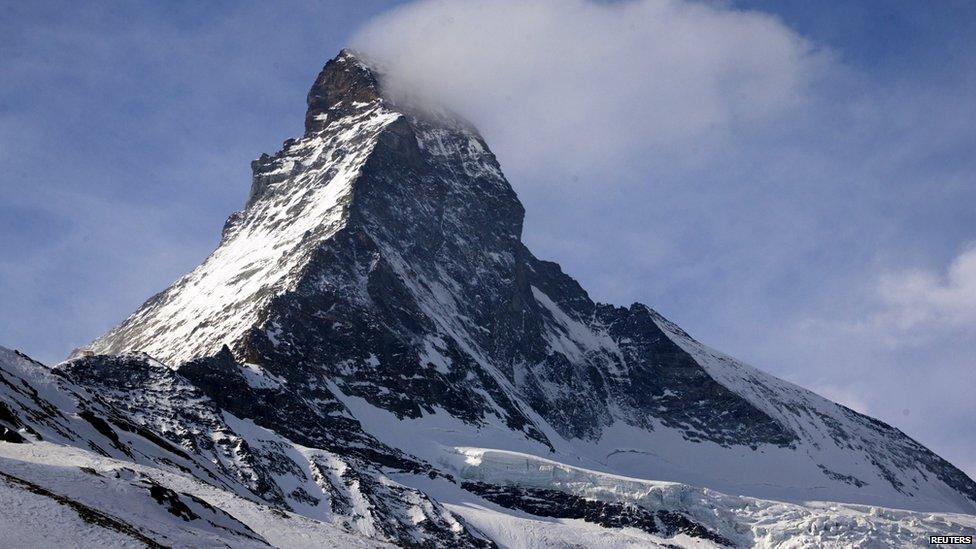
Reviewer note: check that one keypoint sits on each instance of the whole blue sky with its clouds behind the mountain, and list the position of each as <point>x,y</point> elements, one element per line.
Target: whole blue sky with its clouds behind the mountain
<point>792,182</point>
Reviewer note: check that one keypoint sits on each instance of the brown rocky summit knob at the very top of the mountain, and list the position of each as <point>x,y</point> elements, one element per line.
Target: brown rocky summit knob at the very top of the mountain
<point>345,83</point>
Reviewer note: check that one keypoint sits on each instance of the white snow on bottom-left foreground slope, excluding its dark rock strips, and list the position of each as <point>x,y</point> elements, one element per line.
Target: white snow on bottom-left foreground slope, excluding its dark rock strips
<point>58,468</point>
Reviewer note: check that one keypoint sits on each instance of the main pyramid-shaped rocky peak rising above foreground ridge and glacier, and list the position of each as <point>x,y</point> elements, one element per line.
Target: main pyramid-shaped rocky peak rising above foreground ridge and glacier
<point>379,259</point>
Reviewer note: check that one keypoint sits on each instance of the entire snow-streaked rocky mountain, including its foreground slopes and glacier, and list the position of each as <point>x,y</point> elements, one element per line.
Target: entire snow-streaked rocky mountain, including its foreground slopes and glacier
<point>372,350</point>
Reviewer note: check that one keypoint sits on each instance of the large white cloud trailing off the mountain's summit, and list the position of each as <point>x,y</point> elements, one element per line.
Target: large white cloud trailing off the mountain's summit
<point>577,86</point>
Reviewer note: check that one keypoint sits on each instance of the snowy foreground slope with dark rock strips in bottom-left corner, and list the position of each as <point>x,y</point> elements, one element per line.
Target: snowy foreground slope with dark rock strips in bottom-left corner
<point>94,501</point>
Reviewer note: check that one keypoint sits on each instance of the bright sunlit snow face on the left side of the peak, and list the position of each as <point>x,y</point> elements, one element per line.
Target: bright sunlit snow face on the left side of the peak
<point>258,256</point>
